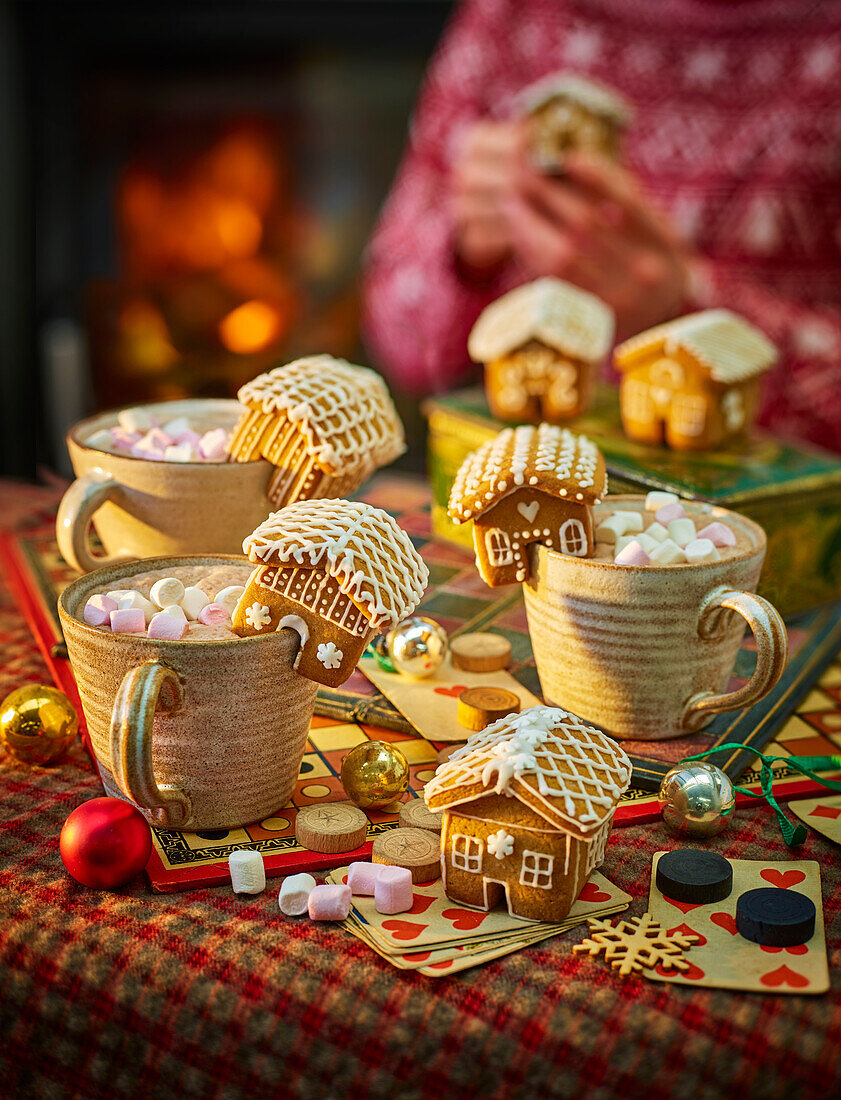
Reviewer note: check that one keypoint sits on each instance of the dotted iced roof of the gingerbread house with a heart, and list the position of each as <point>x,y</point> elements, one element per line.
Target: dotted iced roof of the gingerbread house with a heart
<point>546,458</point>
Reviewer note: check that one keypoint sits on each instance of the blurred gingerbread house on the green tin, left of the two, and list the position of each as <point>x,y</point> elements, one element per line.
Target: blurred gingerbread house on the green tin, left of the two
<point>540,345</point>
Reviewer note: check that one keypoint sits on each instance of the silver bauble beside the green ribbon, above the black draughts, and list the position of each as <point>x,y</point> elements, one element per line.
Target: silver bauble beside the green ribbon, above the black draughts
<point>696,799</point>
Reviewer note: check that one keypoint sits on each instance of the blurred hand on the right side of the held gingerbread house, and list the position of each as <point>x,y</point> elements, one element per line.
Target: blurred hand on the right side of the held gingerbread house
<point>595,228</point>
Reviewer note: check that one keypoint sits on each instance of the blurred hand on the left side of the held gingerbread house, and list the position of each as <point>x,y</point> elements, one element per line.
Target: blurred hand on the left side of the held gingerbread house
<point>485,177</point>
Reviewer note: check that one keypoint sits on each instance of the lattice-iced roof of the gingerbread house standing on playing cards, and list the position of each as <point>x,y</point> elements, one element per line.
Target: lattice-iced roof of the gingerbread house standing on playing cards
<point>554,763</point>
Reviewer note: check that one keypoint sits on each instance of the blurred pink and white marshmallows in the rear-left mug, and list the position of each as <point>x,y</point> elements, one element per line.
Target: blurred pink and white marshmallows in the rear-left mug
<point>141,435</point>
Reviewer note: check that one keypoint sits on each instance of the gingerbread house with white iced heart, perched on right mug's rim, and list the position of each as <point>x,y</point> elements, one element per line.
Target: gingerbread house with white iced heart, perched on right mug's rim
<point>527,486</point>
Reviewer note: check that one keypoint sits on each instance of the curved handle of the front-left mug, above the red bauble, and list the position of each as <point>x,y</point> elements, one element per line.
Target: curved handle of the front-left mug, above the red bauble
<point>132,717</point>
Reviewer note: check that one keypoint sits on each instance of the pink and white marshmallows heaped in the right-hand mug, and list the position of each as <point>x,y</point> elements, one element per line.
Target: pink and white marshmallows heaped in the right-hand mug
<point>671,541</point>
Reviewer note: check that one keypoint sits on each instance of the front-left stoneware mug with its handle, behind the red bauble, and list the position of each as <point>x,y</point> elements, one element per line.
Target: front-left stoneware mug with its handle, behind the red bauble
<point>196,734</point>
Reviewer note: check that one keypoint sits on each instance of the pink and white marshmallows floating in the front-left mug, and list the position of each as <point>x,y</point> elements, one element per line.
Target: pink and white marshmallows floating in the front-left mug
<point>167,615</point>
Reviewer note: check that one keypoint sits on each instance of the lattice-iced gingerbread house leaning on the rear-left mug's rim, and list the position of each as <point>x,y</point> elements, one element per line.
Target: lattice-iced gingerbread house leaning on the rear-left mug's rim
<point>323,423</point>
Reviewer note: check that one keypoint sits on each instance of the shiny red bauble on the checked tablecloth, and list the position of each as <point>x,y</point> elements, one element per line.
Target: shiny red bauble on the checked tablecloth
<point>105,843</point>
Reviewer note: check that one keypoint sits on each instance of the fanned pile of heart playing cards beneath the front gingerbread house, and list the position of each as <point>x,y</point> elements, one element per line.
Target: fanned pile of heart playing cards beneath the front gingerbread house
<point>436,920</point>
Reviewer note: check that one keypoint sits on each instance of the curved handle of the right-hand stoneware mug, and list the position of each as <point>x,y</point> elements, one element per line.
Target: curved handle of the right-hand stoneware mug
<point>772,652</point>
